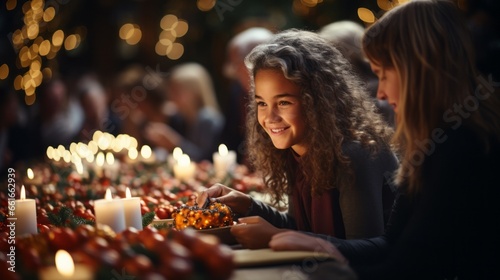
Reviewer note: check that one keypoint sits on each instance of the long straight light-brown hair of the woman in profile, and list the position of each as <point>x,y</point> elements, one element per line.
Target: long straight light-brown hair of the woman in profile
<point>428,44</point>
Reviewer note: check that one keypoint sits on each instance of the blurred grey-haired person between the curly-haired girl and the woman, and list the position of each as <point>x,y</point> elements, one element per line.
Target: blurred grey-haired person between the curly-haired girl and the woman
<point>346,36</point>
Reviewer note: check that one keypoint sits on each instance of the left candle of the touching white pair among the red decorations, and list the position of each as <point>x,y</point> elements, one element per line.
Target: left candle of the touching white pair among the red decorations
<point>109,211</point>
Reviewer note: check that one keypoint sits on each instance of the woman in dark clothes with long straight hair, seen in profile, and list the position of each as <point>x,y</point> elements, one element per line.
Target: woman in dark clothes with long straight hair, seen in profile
<point>444,224</point>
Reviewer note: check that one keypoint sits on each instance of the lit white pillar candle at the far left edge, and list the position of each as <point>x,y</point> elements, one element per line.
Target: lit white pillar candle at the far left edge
<point>25,214</point>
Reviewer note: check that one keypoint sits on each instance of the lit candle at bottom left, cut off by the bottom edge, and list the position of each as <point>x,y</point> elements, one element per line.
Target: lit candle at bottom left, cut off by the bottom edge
<point>65,269</point>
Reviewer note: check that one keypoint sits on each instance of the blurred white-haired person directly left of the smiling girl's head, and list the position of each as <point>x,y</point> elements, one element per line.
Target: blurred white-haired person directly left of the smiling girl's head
<point>234,69</point>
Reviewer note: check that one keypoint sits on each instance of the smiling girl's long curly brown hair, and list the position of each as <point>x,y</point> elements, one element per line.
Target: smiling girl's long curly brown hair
<point>337,110</point>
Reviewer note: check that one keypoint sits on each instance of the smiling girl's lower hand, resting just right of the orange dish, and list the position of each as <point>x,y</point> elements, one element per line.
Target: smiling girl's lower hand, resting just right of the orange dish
<point>254,232</point>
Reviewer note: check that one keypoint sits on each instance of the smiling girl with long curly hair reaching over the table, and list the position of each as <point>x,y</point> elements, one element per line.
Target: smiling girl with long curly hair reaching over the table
<point>314,136</point>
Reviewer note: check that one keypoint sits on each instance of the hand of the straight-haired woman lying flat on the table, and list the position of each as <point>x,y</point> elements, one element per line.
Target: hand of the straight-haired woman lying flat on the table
<point>292,240</point>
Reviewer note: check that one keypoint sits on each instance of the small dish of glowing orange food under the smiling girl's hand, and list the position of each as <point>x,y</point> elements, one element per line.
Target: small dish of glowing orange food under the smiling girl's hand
<point>215,219</point>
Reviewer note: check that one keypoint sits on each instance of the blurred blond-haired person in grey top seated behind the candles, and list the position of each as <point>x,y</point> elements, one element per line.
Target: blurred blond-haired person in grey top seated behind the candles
<point>191,91</point>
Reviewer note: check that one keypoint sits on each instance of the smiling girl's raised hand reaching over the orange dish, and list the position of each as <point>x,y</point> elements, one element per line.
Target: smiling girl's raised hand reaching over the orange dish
<point>236,200</point>
